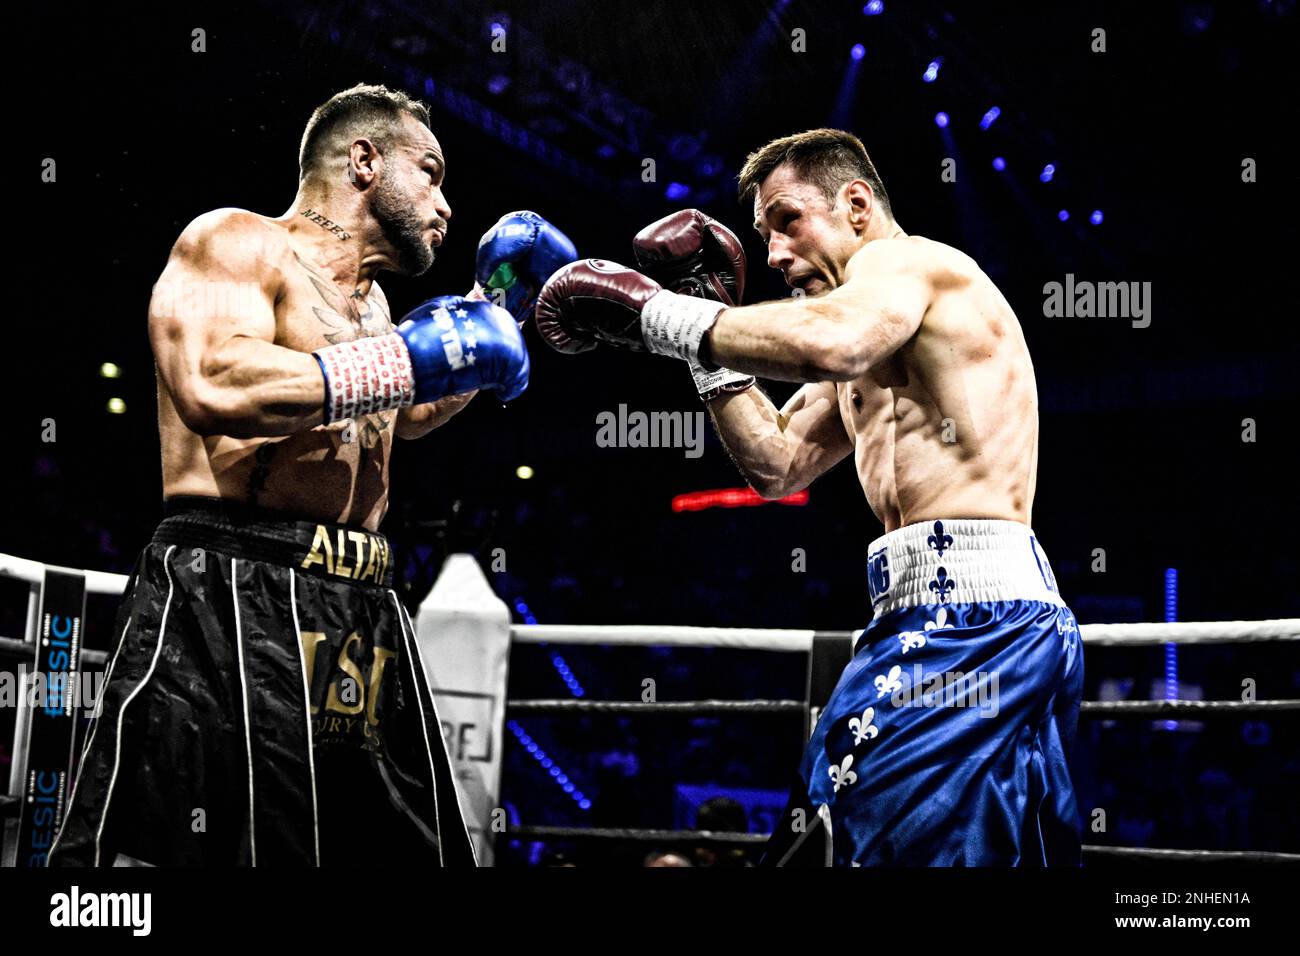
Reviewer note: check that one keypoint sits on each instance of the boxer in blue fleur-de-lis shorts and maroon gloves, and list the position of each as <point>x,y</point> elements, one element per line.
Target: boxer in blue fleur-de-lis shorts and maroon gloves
<point>947,741</point>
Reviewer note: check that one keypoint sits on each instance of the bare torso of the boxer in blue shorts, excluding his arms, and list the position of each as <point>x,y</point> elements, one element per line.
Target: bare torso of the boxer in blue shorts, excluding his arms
<point>948,426</point>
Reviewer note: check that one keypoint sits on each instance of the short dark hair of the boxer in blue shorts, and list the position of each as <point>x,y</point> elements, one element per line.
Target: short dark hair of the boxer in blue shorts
<point>826,158</point>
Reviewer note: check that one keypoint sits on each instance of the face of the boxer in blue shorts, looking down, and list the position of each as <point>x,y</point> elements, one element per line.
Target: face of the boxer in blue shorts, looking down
<point>808,239</point>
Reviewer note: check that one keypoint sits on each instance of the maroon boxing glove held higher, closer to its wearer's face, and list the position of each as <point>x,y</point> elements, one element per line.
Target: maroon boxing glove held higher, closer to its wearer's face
<point>694,254</point>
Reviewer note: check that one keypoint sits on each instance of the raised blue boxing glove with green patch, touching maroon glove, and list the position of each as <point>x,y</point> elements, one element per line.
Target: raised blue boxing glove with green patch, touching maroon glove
<point>517,257</point>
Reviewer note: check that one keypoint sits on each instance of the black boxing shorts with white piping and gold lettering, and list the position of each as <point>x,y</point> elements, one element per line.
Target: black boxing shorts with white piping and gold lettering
<point>266,704</point>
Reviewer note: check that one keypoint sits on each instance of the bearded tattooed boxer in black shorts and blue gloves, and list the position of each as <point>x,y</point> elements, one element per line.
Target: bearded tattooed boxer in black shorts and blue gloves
<point>266,702</point>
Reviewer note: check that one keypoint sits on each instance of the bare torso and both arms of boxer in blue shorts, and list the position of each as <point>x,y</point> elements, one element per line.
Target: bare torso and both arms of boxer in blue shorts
<point>939,408</point>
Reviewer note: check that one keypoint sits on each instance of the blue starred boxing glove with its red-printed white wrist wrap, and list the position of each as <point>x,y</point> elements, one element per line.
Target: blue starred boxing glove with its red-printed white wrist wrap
<point>443,348</point>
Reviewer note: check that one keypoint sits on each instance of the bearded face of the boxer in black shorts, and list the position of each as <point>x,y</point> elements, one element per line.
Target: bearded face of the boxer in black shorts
<point>408,198</point>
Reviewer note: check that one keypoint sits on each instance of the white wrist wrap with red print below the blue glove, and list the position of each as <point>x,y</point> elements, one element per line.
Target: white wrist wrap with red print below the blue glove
<point>366,377</point>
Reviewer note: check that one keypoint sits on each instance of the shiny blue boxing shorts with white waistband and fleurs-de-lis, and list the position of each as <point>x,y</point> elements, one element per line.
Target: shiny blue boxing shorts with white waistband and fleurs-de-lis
<point>947,741</point>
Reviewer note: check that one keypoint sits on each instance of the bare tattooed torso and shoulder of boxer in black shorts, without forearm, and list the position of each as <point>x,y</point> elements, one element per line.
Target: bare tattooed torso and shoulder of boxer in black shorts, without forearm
<point>336,473</point>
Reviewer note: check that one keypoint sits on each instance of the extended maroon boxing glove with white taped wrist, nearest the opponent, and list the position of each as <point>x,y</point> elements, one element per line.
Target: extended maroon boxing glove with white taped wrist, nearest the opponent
<point>596,301</point>
